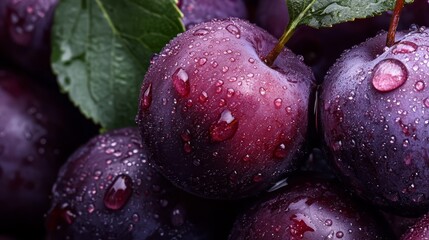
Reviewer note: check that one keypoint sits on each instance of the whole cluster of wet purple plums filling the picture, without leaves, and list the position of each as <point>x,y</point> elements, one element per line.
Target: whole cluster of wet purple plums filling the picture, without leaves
<point>319,143</point>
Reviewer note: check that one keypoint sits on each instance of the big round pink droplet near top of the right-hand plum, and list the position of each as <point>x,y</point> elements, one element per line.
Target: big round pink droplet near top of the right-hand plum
<point>389,74</point>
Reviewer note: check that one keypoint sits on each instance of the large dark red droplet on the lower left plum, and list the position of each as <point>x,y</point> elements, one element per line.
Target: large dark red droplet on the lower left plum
<point>118,193</point>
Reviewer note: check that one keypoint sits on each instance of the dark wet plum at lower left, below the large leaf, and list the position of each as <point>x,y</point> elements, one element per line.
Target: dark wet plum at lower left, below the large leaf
<point>108,190</point>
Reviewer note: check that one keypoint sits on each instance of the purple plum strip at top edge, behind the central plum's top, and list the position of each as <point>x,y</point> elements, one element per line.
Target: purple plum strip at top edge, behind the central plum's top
<point>198,11</point>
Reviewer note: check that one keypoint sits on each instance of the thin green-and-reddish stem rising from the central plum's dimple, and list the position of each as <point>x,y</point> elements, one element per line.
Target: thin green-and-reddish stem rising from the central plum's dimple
<point>289,31</point>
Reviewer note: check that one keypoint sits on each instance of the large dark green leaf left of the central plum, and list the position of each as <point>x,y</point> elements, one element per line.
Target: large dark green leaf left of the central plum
<point>102,49</point>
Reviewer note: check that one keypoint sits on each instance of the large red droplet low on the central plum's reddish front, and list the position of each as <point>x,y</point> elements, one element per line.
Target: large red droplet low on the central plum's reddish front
<point>224,128</point>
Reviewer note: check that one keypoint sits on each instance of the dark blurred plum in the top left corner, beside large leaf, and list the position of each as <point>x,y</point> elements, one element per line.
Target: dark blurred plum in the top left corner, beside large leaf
<point>25,27</point>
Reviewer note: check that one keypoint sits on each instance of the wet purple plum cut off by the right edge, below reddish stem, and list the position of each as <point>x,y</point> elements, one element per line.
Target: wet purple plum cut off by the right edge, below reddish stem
<point>379,140</point>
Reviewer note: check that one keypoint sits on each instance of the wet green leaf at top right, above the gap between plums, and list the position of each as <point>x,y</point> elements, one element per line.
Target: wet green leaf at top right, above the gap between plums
<point>325,13</point>
